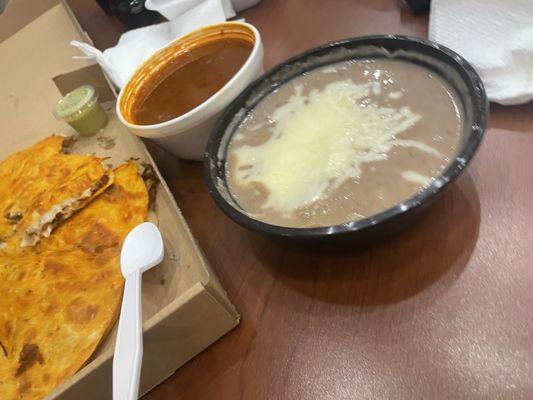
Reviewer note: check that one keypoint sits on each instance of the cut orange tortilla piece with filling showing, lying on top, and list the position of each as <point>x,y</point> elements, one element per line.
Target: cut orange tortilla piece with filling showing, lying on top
<point>40,187</point>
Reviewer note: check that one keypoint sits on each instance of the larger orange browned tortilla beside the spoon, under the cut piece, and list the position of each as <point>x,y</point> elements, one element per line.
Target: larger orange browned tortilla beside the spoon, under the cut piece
<point>60,297</point>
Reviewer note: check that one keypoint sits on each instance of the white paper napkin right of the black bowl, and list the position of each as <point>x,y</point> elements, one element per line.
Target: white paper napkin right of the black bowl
<point>496,37</point>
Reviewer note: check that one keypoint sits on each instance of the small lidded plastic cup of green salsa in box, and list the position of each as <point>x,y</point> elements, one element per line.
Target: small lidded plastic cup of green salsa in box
<point>82,111</point>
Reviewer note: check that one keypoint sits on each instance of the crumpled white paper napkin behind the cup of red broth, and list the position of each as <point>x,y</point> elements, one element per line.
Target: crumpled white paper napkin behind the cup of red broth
<point>137,45</point>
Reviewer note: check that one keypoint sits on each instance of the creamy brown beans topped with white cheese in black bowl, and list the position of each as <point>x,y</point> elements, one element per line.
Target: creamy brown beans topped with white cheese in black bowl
<point>343,142</point>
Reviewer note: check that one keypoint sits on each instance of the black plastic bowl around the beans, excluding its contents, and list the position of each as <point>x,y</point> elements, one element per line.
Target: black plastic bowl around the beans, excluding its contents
<point>439,59</point>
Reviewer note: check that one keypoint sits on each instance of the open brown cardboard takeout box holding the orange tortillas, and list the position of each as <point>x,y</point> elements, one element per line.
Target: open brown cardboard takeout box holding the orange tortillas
<point>184,307</point>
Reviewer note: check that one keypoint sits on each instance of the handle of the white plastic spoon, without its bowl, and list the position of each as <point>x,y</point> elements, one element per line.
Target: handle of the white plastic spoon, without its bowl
<point>129,346</point>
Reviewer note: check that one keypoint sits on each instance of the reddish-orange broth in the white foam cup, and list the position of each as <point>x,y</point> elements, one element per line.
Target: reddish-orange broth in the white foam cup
<point>191,80</point>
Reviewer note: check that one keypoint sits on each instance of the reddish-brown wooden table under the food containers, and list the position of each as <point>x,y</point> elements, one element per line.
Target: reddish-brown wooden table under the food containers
<point>444,311</point>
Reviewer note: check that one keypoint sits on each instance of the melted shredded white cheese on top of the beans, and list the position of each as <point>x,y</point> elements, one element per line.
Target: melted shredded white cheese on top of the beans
<point>321,140</point>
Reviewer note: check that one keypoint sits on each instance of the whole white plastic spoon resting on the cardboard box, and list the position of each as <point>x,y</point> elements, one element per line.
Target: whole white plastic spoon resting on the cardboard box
<point>142,250</point>
